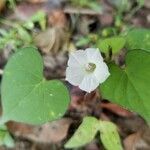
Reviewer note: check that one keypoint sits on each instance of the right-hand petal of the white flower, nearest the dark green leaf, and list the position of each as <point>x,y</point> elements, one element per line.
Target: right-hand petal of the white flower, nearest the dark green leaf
<point>101,72</point>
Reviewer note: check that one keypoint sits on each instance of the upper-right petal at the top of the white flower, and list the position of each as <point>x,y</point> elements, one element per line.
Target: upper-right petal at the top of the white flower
<point>93,55</point>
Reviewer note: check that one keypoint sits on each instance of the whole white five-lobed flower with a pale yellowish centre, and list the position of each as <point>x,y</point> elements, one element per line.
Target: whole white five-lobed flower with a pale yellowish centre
<point>86,69</point>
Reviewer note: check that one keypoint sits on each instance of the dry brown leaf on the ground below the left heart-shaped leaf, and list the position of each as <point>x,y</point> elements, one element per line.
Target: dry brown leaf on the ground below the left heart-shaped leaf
<point>52,132</point>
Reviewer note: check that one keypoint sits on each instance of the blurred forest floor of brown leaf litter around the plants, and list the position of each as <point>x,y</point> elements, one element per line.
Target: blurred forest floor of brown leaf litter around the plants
<point>69,27</point>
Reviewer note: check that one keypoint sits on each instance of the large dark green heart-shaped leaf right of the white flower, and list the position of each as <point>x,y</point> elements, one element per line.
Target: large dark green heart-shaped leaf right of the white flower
<point>130,87</point>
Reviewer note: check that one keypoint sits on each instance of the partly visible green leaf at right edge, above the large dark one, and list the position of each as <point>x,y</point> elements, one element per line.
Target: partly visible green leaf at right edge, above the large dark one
<point>138,39</point>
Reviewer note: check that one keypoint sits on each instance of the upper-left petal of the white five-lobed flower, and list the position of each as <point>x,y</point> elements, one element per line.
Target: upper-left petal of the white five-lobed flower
<point>77,58</point>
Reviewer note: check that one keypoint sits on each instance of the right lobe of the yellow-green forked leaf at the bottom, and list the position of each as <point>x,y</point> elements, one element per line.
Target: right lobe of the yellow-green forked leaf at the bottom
<point>109,136</point>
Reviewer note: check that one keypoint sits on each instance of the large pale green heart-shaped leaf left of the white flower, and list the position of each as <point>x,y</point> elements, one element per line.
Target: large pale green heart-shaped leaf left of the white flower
<point>26,95</point>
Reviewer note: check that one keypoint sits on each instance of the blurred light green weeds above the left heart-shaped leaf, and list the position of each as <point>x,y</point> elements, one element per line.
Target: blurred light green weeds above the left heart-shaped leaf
<point>19,33</point>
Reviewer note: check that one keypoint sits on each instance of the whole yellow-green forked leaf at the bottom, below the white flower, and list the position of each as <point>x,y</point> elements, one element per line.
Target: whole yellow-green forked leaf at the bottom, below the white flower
<point>89,128</point>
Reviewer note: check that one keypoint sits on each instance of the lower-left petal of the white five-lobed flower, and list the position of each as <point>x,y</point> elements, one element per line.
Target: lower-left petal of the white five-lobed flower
<point>74,75</point>
